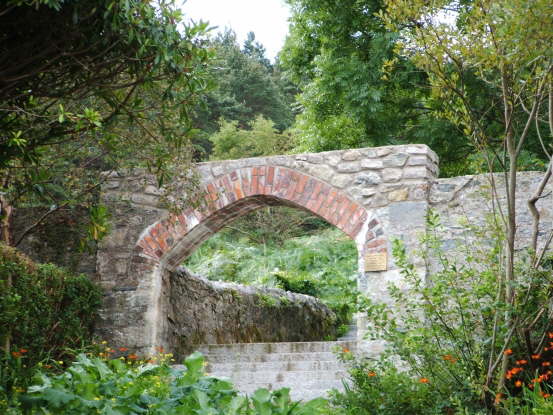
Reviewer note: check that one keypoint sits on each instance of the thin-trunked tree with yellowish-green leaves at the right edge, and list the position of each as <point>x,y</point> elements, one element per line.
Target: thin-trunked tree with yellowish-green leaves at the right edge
<point>507,46</point>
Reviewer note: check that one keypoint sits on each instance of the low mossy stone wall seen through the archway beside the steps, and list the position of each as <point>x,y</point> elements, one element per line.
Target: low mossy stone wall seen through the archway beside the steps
<point>206,312</point>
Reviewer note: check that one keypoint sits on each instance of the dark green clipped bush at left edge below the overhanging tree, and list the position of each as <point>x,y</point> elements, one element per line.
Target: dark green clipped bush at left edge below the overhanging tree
<point>44,311</point>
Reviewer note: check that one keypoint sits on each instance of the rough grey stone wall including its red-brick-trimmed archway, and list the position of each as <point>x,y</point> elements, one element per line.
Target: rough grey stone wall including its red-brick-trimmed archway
<point>373,195</point>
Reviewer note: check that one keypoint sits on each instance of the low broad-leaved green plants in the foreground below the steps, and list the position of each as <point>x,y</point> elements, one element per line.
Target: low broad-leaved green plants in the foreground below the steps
<point>95,386</point>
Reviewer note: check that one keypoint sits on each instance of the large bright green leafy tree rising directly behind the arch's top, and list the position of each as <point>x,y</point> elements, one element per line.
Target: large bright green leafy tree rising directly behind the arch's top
<point>356,92</point>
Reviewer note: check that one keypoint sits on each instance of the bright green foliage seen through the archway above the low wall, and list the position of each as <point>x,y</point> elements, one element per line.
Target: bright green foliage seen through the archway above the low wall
<point>320,262</point>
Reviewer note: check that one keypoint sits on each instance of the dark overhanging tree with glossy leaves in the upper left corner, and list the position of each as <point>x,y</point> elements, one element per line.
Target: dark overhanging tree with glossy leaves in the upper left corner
<point>92,85</point>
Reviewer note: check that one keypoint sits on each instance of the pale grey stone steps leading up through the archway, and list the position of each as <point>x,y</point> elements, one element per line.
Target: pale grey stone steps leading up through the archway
<point>310,369</point>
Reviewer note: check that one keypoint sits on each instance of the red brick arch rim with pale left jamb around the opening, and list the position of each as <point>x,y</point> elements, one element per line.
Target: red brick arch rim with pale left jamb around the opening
<point>166,243</point>
